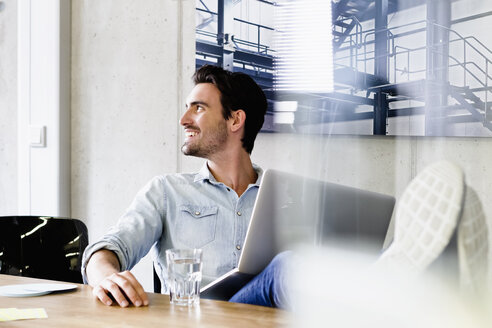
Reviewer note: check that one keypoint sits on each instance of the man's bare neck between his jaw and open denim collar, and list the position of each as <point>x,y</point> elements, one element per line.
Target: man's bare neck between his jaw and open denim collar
<point>234,171</point>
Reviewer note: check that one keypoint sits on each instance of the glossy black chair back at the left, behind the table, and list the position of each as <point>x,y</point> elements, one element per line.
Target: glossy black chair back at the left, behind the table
<point>42,247</point>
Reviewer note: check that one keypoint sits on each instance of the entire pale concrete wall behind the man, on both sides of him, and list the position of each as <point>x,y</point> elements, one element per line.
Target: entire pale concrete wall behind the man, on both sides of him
<point>131,63</point>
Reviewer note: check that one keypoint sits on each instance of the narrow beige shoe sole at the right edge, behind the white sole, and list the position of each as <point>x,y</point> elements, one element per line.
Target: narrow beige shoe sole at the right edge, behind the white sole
<point>473,245</point>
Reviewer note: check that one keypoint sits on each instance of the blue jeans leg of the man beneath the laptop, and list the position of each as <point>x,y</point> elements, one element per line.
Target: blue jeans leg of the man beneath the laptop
<point>268,288</point>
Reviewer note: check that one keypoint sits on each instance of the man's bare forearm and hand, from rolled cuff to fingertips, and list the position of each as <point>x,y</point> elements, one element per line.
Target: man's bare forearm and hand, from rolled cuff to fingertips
<point>103,274</point>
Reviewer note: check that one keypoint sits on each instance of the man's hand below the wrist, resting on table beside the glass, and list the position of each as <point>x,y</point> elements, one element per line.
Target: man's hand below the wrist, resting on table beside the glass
<point>123,287</point>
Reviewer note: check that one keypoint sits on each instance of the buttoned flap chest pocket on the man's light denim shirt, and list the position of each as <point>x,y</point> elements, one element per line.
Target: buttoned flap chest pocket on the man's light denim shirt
<point>196,225</point>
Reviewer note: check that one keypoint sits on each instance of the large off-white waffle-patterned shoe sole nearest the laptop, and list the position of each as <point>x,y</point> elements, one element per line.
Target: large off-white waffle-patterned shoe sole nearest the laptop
<point>425,218</point>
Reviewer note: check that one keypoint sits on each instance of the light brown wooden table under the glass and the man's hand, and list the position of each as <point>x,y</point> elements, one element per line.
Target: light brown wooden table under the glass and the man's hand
<point>80,309</point>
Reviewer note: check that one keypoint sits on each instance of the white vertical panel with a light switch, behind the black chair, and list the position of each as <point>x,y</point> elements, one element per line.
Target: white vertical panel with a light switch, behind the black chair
<point>43,105</point>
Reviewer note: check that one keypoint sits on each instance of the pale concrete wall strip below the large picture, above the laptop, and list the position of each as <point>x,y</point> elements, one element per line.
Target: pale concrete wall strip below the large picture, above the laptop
<point>381,164</point>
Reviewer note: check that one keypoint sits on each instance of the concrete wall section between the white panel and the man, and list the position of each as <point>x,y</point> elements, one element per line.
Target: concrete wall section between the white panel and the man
<point>132,62</point>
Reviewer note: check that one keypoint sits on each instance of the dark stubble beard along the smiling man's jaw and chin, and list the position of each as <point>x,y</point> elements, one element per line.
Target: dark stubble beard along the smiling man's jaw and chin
<point>210,143</point>
